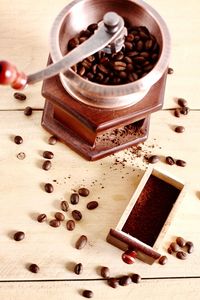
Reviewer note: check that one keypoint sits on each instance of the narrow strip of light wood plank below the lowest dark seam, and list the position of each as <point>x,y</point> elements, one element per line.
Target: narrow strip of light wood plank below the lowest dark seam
<point>177,289</point>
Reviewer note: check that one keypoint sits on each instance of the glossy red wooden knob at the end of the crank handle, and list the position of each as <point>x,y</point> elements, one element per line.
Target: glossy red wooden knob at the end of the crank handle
<point>10,76</point>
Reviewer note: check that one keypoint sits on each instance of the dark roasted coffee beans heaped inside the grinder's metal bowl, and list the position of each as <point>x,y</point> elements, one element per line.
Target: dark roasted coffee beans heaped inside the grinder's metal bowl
<point>137,58</point>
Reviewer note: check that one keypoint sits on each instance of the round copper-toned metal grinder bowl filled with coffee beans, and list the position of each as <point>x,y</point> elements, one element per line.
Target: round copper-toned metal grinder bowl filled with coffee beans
<point>118,79</point>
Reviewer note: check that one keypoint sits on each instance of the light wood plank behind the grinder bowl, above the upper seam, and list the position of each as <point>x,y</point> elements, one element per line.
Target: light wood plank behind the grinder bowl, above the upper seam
<point>24,37</point>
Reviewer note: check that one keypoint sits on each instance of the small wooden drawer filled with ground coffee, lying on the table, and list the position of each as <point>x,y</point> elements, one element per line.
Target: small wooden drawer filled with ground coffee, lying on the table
<point>148,215</point>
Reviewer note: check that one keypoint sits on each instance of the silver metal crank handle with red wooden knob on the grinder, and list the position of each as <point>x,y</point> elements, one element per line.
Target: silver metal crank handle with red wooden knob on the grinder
<point>109,31</point>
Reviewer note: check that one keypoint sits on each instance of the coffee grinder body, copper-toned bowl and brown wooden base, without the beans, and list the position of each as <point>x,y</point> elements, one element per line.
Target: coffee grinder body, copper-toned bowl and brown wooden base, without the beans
<point>93,119</point>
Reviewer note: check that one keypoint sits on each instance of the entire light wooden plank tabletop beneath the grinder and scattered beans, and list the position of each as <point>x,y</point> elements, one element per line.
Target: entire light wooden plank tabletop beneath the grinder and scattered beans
<point>24,31</point>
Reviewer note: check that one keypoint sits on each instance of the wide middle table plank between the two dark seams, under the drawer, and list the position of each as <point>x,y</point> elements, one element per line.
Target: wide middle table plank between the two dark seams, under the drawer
<point>23,197</point>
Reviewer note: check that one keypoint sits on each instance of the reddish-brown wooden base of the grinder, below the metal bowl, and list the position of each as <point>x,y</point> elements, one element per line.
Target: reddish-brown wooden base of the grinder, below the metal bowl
<point>97,132</point>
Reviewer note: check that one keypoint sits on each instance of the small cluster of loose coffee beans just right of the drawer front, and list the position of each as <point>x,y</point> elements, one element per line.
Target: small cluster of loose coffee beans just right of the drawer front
<point>181,248</point>
